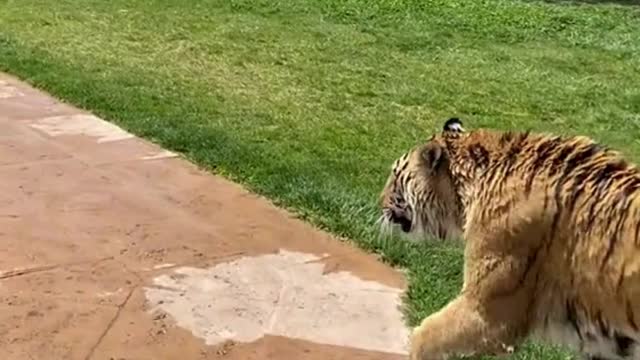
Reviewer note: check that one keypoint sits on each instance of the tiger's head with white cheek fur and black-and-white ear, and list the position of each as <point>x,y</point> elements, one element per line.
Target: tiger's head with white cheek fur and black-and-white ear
<point>420,196</point>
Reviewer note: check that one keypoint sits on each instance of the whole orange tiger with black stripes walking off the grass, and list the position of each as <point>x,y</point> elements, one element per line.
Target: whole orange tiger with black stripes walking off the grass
<point>550,230</point>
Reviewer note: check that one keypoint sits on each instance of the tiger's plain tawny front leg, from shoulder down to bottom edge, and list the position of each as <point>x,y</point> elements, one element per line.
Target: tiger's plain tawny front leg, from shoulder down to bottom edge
<point>492,314</point>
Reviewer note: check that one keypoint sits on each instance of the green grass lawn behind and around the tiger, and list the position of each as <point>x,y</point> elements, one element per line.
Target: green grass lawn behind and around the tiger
<point>309,101</point>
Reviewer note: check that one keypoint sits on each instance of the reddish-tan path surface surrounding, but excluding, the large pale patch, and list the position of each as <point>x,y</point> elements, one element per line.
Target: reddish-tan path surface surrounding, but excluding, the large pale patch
<point>90,215</point>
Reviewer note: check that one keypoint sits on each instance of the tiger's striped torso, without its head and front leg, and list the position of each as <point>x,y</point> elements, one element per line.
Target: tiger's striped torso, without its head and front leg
<point>589,258</point>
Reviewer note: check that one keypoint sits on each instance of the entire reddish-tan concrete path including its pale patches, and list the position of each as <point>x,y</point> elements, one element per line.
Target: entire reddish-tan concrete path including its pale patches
<point>112,248</point>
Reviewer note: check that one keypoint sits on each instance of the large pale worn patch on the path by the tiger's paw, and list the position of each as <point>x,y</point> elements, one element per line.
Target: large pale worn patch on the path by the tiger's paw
<point>284,294</point>
